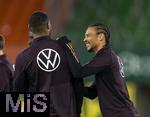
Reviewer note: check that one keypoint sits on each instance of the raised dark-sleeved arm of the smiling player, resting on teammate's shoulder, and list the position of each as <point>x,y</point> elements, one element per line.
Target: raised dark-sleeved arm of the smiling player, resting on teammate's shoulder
<point>96,65</point>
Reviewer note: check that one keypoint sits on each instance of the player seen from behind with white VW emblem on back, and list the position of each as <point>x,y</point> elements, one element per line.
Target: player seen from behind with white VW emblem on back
<point>43,67</point>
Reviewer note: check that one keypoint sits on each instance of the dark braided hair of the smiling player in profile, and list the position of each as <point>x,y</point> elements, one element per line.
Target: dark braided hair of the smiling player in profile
<point>101,28</point>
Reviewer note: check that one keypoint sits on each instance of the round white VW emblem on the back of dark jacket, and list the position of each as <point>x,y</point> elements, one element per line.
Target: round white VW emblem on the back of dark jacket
<point>48,60</point>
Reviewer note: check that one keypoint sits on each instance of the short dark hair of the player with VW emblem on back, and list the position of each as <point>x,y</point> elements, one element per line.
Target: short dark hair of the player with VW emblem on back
<point>38,22</point>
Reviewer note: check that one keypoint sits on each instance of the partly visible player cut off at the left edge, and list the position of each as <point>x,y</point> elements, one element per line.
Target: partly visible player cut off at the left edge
<point>6,69</point>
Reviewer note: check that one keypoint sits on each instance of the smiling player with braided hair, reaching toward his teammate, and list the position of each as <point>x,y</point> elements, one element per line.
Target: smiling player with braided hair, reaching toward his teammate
<point>108,69</point>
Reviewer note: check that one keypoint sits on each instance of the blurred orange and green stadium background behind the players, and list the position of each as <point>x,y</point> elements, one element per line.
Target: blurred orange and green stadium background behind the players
<point>129,25</point>
